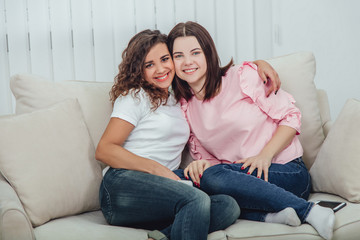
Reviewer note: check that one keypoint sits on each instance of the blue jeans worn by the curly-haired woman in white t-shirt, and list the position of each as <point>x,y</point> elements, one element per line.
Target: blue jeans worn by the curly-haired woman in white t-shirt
<point>141,200</point>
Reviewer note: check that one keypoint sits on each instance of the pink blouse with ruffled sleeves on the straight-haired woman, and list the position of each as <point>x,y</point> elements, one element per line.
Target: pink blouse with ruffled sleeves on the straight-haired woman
<point>240,120</point>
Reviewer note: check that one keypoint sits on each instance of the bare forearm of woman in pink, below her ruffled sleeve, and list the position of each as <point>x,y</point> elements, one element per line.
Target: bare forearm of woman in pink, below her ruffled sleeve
<point>279,141</point>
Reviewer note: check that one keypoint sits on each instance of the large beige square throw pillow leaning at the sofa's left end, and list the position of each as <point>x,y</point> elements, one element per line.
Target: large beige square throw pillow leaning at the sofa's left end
<point>49,159</point>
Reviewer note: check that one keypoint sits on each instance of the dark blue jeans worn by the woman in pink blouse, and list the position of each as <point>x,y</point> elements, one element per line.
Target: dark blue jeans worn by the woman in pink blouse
<point>288,186</point>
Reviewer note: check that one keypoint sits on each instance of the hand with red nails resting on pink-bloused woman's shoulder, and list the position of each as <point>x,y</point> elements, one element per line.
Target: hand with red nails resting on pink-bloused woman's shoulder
<point>266,73</point>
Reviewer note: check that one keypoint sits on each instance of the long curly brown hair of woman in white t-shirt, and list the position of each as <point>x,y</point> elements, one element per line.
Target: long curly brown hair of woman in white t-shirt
<point>131,69</point>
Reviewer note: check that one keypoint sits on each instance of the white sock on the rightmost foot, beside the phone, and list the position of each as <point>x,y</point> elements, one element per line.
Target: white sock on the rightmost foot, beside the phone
<point>323,220</point>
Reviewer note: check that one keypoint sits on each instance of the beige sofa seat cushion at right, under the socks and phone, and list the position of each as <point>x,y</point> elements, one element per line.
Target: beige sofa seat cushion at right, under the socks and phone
<point>347,224</point>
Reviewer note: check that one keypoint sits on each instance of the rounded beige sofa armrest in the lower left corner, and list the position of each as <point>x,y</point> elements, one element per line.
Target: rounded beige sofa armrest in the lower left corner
<point>14,223</point>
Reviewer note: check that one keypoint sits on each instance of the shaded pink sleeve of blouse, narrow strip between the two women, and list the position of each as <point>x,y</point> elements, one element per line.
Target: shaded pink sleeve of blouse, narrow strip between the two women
<point>197,151</point>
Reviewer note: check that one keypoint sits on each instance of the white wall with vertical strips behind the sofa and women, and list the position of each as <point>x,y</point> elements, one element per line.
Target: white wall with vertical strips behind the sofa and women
<point>83,39</point>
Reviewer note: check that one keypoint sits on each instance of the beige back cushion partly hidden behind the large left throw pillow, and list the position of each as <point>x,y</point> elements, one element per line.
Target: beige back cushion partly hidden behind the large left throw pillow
<point>33,92</point>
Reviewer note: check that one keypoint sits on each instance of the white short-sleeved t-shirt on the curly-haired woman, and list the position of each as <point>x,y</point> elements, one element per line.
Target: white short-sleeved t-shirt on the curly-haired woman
<point>159,135</point>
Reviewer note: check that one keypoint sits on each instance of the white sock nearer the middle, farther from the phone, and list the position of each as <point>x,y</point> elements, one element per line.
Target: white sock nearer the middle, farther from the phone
<point>286,216</point>
